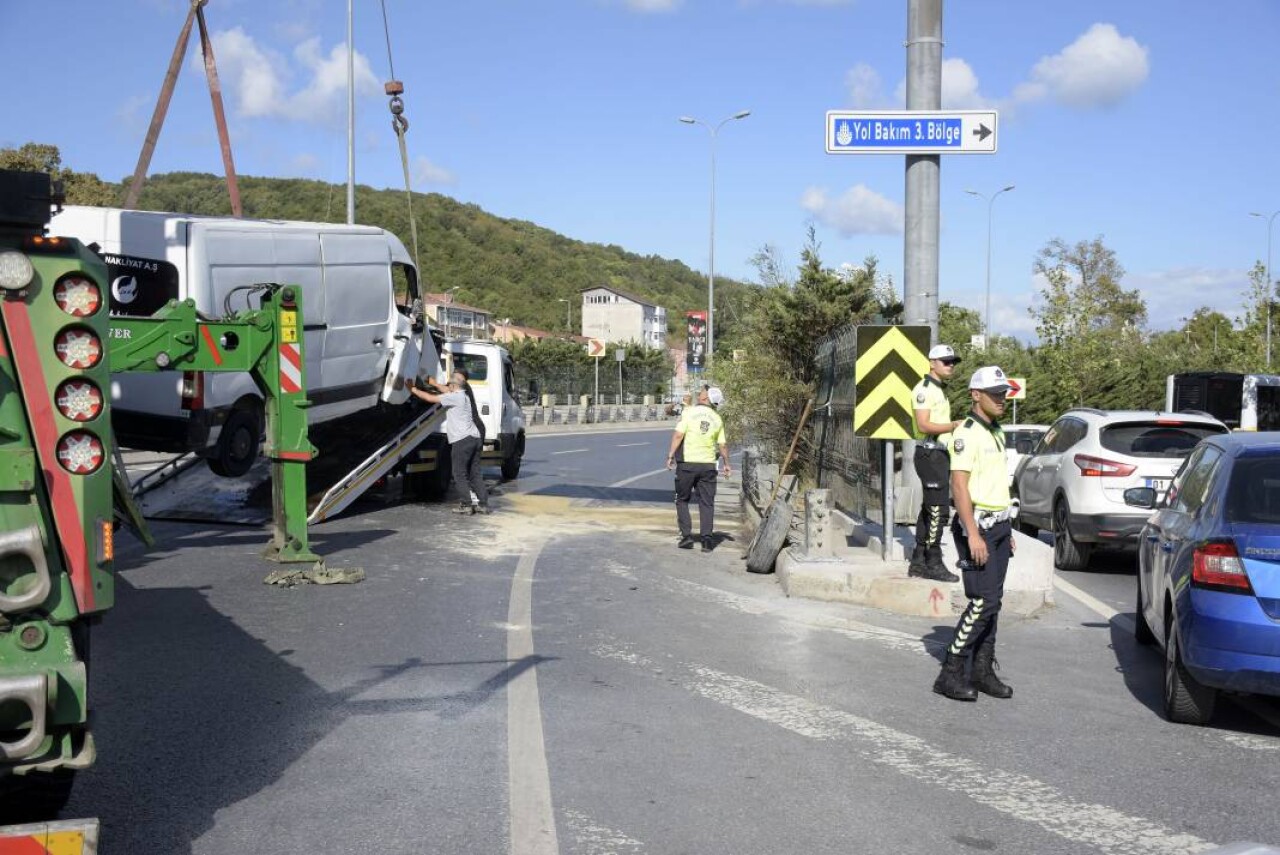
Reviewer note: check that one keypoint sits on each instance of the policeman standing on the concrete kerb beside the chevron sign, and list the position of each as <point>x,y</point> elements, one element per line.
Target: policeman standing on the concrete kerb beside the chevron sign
<point>934,429</point>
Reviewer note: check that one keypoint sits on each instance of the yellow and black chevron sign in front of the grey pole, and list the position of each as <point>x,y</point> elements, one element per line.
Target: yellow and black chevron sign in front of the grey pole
<point>892,360</point>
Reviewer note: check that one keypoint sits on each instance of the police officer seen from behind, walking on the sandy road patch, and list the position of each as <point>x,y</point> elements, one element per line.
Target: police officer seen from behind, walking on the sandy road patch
<point>701,436</point>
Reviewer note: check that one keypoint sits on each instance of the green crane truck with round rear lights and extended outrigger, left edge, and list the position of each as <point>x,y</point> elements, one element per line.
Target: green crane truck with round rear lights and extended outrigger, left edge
<point>62,493</point>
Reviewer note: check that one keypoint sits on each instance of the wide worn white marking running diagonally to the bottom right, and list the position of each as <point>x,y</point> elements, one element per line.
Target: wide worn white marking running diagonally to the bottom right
<point>1016,795</point>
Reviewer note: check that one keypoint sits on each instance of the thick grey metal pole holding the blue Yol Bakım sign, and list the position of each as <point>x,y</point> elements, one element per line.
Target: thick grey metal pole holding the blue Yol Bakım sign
<point>924,93</point>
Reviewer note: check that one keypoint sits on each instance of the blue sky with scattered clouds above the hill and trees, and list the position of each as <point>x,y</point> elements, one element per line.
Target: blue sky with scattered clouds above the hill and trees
<point>1150,124</point>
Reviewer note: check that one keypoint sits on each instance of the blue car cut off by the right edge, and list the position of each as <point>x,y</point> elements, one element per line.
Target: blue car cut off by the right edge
<point>1209,574</point>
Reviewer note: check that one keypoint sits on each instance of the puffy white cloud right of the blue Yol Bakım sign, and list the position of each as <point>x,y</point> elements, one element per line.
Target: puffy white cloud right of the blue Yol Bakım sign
<point>1100,68</point>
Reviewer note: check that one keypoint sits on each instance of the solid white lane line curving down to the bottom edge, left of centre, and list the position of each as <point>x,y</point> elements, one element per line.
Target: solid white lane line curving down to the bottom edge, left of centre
<point>533,819</point>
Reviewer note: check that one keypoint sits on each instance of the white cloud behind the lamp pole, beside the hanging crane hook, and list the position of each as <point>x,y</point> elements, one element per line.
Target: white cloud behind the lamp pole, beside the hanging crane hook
<point>259,80</point>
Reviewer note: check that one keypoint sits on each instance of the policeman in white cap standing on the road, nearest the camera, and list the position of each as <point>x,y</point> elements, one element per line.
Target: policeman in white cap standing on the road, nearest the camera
<point>984,536</point>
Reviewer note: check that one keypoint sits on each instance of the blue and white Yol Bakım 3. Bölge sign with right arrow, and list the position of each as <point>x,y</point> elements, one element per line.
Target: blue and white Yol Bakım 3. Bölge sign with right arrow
<point>912,132</point>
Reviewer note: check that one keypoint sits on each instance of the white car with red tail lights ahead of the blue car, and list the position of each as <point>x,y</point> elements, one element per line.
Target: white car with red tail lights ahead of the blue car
<point>1075,481</point>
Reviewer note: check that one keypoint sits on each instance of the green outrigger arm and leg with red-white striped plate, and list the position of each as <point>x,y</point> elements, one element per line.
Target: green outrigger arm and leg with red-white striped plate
<point>268,345</point>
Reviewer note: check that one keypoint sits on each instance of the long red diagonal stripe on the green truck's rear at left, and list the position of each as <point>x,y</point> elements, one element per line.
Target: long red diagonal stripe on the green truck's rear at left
<point>62,493</point>
